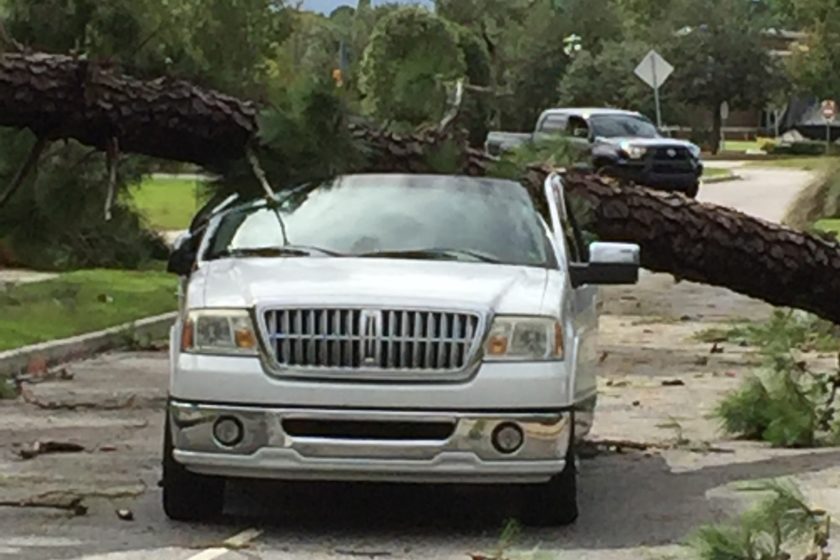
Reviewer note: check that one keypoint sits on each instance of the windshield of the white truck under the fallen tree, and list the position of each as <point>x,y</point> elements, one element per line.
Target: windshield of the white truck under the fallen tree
<point>394,216</point>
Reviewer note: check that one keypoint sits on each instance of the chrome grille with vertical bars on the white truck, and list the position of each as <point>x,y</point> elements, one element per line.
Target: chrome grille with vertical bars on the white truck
<point>372,339</point>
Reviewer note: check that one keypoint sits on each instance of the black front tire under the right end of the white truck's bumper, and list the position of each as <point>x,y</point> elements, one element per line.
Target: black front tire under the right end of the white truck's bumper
<point>555,502</point>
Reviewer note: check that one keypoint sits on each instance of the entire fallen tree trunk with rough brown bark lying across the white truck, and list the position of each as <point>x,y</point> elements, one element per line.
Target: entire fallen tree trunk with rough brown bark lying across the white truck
<point>64,97</point>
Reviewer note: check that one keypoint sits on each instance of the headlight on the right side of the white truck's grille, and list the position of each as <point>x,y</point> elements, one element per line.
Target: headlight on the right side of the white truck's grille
<point>524,338</point>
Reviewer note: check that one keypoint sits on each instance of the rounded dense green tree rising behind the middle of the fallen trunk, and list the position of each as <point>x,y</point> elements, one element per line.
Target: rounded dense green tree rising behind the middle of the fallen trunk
<point>411,57</point>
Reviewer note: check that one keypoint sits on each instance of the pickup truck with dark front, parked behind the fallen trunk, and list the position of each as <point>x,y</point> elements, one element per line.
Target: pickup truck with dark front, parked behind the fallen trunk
<point>621,144</point>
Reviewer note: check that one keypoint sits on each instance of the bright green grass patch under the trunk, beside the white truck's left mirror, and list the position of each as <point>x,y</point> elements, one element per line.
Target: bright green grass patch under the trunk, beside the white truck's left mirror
<point>167,204</point>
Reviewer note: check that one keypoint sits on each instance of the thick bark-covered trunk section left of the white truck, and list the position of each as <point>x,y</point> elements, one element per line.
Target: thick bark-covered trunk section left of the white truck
<point>66,97</point>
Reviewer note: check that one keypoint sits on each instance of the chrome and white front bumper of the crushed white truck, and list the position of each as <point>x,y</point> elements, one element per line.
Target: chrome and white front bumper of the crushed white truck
<point>465,454</point>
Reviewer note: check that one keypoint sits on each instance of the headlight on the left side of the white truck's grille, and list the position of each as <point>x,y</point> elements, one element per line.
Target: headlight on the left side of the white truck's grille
<point>219,331</point>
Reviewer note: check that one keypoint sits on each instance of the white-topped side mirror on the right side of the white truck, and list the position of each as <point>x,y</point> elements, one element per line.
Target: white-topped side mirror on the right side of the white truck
<point>609,264</point>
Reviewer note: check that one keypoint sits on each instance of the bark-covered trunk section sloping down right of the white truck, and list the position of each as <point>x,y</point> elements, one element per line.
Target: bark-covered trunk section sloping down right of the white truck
<point>714,245</point>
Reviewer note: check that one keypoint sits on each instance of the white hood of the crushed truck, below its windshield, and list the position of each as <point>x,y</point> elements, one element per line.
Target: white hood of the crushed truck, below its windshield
<point>266,281</point>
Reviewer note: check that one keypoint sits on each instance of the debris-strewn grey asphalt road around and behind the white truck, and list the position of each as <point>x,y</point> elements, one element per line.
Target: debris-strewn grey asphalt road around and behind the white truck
<point>633,505</point>
